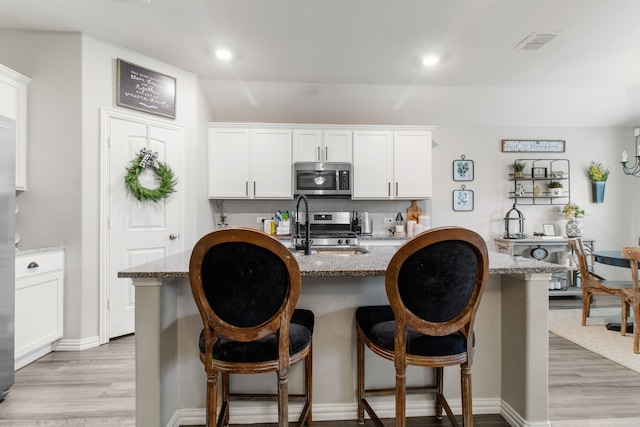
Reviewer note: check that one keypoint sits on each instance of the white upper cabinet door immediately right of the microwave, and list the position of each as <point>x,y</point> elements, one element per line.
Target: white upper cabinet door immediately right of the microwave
<point>372,164</point>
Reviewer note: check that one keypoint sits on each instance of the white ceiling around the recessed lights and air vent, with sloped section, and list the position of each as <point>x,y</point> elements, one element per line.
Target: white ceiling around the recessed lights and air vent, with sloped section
<point>359,60</point>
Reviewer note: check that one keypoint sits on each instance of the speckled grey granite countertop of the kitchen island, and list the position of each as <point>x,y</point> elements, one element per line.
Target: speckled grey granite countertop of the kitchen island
<point>373,263</point>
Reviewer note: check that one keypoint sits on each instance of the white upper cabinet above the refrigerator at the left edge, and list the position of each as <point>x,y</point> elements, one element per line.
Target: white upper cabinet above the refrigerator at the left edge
<point>13,104</point>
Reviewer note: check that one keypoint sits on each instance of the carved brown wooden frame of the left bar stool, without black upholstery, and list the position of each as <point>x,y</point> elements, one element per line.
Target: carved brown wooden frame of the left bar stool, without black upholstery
<point>215,327</point>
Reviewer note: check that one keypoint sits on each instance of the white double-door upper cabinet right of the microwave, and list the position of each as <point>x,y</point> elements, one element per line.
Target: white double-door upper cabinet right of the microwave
<point>392,164</point>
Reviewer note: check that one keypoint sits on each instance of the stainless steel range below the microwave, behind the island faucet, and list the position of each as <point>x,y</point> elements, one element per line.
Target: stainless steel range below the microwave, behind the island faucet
<point>326,229</point>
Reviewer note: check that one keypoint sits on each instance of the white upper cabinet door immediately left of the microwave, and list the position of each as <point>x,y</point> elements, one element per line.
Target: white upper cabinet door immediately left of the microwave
<point>271,169</point>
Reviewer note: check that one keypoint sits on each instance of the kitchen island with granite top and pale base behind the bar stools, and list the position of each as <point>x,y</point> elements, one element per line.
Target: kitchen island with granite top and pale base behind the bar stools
<point>510,367</point>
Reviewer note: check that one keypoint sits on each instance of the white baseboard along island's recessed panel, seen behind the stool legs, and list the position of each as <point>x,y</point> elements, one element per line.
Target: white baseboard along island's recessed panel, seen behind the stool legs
<point>253,413</point>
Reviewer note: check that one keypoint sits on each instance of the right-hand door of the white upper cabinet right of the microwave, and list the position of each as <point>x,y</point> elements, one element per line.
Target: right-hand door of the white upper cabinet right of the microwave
<point>412,165</point>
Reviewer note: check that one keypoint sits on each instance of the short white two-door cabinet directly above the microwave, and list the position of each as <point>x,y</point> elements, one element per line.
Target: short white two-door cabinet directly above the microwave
<point>322,146</point>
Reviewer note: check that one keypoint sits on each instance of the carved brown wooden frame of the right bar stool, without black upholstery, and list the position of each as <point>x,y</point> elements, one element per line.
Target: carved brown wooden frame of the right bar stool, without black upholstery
<point>404,318</point>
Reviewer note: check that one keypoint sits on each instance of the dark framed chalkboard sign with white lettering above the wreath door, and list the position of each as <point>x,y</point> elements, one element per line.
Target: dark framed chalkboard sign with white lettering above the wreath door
<point>146,90</point>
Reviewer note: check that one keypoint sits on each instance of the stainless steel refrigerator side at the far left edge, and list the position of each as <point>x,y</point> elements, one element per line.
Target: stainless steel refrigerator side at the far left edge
<point>7,252</point>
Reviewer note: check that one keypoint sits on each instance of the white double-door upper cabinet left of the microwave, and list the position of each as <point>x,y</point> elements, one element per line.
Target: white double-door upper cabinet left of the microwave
<point>247,163</point>
